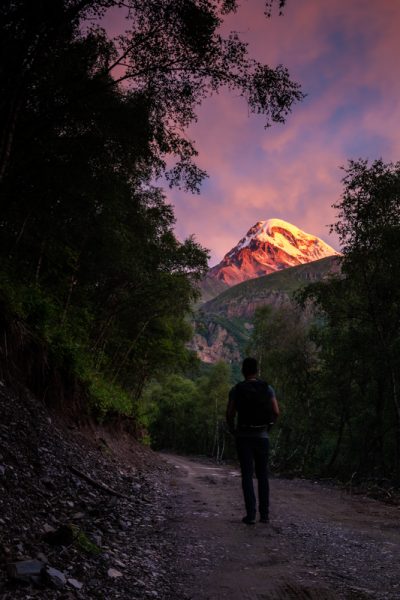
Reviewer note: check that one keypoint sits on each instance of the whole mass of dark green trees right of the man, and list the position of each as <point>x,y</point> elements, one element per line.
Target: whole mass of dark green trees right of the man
<point>336,365</point>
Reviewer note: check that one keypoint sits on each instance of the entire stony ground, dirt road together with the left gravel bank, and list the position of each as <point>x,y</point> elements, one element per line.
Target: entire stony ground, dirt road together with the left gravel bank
<point>103,518</point>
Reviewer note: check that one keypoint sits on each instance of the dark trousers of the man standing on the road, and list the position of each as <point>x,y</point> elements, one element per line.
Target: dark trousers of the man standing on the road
<point>253,453</point>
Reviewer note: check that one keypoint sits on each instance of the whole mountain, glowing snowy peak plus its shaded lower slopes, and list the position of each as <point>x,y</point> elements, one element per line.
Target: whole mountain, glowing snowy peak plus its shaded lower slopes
<point>266,267</point>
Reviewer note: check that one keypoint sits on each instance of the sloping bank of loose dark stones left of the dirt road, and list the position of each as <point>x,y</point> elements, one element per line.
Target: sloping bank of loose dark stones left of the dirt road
<point>88,506</point>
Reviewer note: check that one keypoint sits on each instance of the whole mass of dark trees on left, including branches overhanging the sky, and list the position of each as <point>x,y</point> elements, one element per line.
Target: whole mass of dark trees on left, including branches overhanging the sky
<point>92,275</point>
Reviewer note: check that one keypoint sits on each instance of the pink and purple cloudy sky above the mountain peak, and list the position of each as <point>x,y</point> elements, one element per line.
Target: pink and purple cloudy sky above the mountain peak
<point>345,55</point>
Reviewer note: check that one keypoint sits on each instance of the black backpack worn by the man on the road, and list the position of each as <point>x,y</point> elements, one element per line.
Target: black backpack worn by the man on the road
<point>253,404</point>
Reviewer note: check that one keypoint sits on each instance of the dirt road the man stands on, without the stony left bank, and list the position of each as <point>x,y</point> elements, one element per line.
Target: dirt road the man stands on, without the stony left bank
<point>321,543</point>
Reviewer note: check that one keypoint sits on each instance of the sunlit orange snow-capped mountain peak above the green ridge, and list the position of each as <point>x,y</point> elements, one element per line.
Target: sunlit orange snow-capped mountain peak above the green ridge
<point>267,247</point>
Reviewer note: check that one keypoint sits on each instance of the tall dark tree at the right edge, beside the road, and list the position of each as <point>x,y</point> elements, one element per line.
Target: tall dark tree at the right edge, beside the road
<point>360,314</point>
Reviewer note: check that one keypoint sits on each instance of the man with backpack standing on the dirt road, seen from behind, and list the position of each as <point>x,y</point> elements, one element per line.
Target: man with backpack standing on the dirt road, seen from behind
<point>254,403</point>
